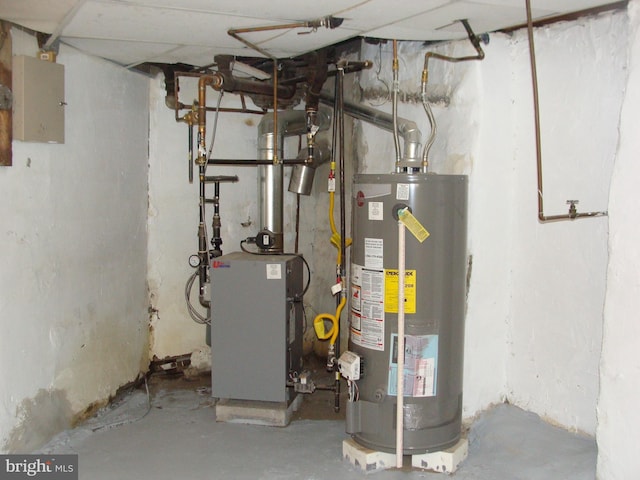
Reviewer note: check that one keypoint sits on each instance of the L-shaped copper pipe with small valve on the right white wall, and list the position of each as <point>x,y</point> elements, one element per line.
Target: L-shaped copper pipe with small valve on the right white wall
<point>573,213</point>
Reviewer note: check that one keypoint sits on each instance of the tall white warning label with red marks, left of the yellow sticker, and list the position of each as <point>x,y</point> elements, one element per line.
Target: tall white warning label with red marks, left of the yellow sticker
<point>367,308</point>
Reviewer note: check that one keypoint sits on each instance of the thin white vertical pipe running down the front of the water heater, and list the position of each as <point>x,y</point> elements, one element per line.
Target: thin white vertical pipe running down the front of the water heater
<point>400,386</point>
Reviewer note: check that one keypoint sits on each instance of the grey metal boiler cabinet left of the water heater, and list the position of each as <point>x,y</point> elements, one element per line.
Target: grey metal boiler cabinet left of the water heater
<point>256,325</point>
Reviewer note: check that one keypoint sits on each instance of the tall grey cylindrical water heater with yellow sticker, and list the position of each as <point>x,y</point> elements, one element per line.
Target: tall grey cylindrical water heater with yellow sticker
<point>434,305</point>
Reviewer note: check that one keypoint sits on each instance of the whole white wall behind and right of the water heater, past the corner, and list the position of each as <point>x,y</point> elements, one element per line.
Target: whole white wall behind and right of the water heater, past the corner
<point>536,294</point>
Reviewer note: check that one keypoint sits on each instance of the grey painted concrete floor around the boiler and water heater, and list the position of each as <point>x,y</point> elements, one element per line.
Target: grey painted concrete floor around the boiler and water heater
<point>175,436</point>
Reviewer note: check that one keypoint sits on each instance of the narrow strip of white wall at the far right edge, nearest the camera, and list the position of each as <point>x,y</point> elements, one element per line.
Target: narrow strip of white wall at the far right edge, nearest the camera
<point>618,417</point>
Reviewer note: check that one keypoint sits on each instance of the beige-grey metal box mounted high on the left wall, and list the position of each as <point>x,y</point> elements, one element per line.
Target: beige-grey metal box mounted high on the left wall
<point>38,100</point>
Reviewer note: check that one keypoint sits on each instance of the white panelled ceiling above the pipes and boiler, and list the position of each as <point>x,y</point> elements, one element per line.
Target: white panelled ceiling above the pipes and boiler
<point>131,32</point>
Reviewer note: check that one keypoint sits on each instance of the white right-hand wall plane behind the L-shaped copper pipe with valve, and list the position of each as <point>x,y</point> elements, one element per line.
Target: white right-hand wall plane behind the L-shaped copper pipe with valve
<point>559,270</point>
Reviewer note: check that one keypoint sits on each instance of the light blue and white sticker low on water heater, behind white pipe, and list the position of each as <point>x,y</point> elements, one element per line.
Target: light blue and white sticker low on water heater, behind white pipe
<point>420,365</point>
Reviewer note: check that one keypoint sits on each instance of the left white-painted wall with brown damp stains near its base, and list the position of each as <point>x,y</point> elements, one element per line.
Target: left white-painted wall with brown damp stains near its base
<point>73,293</point>
